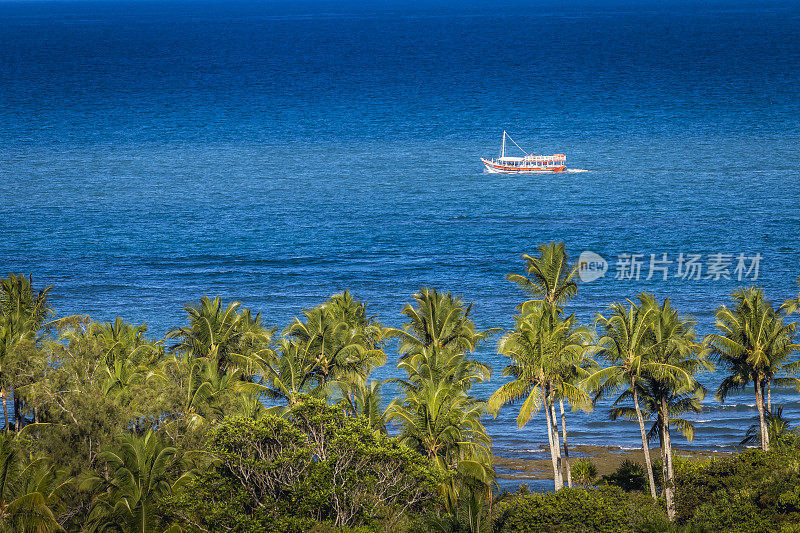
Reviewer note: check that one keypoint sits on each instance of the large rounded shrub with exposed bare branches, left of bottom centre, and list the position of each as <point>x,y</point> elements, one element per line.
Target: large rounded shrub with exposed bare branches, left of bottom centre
<point>313,467</point>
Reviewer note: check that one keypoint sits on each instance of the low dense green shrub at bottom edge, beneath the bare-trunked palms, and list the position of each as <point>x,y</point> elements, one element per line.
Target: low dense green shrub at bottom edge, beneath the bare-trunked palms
<point>607,509</point>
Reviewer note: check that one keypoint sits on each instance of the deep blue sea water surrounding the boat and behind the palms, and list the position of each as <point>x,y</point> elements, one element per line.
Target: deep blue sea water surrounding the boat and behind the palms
<point>279,152</point>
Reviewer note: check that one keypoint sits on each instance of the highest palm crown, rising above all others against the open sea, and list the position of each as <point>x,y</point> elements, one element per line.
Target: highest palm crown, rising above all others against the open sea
<point>550,275</point>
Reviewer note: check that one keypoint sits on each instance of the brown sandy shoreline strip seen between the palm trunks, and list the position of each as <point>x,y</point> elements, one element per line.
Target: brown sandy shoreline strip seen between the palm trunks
<point>606,458</point>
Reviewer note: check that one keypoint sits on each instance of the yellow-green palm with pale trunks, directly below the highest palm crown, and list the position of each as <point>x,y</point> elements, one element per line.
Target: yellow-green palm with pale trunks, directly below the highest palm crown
<point>546,354</point>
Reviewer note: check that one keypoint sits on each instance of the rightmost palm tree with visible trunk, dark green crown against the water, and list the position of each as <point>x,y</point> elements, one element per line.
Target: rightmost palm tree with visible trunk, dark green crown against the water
<point>753,347</point>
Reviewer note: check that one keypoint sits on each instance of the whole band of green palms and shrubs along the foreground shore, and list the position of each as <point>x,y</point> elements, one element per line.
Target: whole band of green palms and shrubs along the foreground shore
<point>230,424</point>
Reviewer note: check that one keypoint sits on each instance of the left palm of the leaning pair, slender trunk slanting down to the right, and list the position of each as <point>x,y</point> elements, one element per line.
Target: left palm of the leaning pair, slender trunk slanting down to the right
<point>628,345</point>
